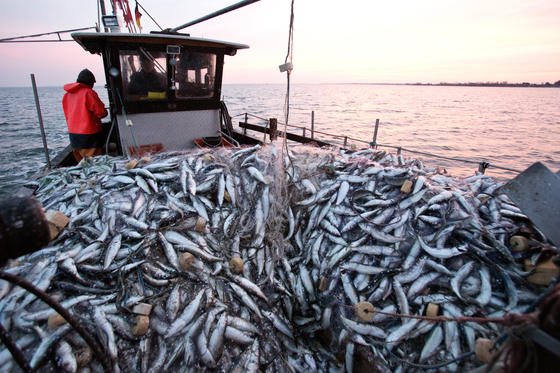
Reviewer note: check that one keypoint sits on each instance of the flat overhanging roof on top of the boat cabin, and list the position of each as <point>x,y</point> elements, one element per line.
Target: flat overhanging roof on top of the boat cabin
<point>95,42</point>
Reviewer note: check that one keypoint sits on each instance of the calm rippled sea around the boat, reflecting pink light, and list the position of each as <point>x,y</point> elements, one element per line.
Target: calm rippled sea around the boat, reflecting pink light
<point>506,127</point>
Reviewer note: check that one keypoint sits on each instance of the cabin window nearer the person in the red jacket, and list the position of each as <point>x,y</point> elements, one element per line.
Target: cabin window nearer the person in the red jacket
<point>144,75</point>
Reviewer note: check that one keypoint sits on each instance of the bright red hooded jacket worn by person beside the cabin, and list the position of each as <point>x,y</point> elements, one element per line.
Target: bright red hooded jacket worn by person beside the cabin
<point>83,109</point>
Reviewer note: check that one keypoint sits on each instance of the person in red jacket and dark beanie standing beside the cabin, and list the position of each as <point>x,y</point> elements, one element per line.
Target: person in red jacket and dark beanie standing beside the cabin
<point>83,111</point>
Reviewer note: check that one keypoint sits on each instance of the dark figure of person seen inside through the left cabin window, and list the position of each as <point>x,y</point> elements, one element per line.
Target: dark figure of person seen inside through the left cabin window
<point>146,82</point>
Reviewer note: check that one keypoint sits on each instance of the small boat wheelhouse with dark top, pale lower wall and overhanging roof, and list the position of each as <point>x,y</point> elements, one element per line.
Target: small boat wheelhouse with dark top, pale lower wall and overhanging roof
<point>164,90</point>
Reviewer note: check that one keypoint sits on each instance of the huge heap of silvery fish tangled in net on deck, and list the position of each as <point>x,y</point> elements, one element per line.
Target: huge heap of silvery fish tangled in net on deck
<point>255,259</point>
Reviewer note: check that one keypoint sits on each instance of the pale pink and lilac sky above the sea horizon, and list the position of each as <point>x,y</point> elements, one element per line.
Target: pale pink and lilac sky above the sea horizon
<point>350,41</point>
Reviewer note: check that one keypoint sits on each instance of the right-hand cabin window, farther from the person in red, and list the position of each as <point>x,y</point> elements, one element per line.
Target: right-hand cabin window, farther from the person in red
<point>193,74</point>
